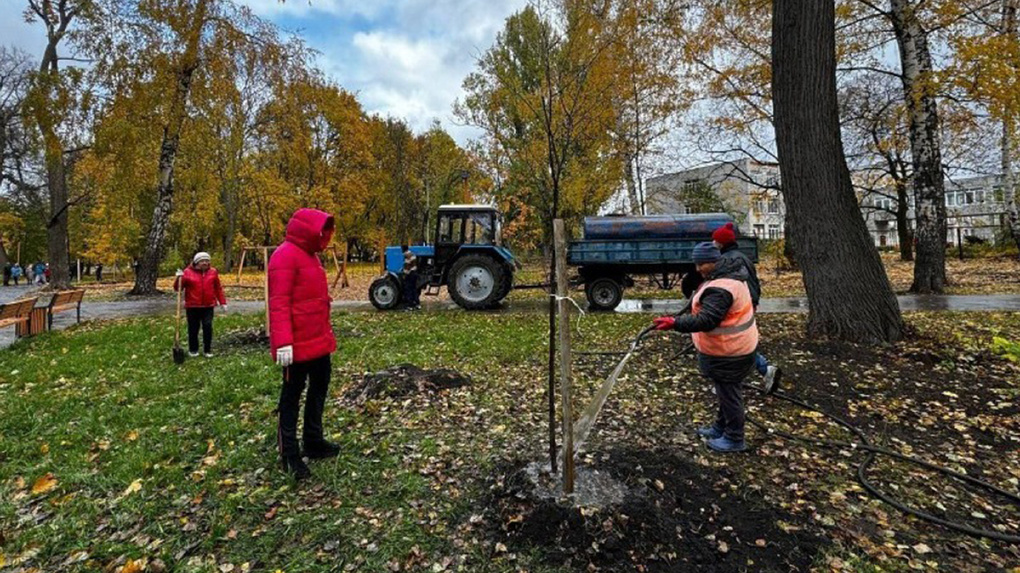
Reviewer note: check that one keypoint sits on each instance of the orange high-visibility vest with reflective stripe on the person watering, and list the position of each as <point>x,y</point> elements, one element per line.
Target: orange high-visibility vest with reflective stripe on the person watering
<point>738,334</point>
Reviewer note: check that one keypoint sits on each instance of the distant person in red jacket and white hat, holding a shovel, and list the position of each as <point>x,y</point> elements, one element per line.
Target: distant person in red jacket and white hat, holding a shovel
<point>202,293</point>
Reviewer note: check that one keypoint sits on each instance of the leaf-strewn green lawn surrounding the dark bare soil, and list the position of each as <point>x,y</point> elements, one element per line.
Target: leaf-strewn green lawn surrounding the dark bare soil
<point>103,407</point>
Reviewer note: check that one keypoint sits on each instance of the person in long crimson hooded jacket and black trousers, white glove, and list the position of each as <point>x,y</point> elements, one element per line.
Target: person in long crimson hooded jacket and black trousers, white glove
<point>301,338</point>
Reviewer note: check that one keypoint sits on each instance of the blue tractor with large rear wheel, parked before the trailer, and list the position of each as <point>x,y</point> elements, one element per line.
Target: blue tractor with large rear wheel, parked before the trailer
<point>468,258</point>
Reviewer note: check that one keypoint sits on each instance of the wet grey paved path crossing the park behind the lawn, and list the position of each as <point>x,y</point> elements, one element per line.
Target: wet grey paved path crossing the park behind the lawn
<point>166,306</point>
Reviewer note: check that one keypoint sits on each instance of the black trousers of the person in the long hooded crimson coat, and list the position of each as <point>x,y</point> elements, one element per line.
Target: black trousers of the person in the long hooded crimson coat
<point>317,373</point>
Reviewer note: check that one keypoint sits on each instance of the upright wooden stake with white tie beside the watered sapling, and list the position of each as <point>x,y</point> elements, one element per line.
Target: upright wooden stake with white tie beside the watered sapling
<point>560,241</point>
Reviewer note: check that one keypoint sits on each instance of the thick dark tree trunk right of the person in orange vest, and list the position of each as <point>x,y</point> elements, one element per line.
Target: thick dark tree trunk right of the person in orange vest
<point>849,294</point>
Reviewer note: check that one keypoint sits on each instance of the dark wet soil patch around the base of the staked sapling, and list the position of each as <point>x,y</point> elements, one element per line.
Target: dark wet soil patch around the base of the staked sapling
<point>677,516</point>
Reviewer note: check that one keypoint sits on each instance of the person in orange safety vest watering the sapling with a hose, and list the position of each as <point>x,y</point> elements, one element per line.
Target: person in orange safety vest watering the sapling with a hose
<point>722,324</point>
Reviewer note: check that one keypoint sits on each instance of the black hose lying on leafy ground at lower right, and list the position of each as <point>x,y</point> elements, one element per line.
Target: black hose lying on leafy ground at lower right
<point>875,451</point>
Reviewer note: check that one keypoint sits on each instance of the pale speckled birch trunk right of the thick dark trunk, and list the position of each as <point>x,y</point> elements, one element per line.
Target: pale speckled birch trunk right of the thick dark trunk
<point>930,186</point>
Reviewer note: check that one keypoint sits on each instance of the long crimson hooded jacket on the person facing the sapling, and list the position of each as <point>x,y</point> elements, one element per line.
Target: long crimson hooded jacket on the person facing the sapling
<point>299,292</point>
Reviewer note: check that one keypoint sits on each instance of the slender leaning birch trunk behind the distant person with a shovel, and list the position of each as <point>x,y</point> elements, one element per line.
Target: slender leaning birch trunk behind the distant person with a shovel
<point>148,272</point>
